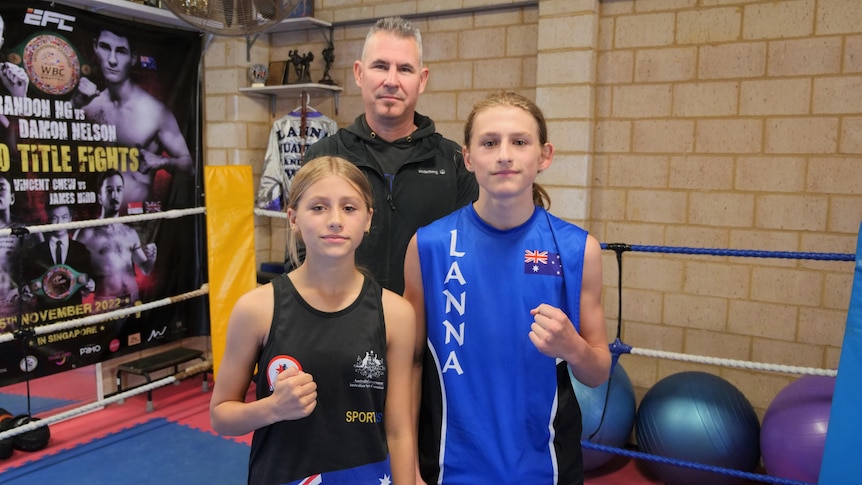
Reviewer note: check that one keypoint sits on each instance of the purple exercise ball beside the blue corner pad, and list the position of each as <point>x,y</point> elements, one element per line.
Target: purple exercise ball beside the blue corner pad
<point>793,433</point>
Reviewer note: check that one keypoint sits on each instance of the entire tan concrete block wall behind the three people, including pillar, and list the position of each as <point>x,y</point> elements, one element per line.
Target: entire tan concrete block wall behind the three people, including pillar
<point>696,123</point>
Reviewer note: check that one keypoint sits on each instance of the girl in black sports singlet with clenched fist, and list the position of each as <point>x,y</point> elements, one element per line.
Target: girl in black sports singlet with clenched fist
<point>333,351</point>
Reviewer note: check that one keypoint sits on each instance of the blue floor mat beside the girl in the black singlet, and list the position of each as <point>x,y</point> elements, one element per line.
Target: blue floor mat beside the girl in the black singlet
<point>157,452</point>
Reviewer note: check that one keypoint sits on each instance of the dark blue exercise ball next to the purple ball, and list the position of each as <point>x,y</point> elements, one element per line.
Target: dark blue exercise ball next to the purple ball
<point>701,418</point>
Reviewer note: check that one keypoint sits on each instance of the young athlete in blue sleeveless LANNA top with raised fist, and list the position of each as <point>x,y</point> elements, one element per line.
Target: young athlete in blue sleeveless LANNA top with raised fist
<point>510,296</point>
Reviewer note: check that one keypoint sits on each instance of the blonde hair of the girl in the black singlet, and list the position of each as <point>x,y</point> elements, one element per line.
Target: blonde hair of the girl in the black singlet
<point>312,172</point>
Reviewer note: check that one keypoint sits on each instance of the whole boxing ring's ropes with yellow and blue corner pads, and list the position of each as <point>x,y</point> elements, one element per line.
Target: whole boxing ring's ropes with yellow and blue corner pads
<point>230,246</point>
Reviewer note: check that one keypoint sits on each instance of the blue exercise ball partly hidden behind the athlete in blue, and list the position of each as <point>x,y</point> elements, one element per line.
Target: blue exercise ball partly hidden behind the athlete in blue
<point>617,405</point>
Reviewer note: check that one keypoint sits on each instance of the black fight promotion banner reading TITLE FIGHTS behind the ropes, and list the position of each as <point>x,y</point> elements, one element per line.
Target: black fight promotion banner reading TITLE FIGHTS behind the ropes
<point>99,118</point>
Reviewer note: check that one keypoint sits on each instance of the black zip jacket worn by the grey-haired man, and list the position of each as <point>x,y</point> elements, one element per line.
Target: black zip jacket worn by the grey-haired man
<point>428,186</point>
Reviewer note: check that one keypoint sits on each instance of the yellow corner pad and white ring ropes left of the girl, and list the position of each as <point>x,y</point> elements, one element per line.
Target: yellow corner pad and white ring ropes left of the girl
<point>230,256</point>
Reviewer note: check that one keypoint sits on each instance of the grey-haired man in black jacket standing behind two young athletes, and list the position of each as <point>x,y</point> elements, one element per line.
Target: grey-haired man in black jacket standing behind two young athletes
<point>416,174</point>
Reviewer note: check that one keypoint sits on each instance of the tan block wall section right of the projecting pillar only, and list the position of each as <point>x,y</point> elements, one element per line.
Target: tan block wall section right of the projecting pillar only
<point>730,124</point>
